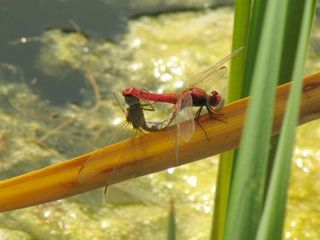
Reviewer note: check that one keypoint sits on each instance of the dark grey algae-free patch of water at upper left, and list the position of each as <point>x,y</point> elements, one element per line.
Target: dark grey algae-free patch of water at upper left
<point>21,20</point>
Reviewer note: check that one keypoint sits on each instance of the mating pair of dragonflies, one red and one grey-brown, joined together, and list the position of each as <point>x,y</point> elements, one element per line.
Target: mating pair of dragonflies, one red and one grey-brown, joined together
<point>138,102</point>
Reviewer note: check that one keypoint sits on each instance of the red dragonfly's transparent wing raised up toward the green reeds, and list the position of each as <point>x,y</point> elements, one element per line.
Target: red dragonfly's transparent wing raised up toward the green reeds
<point>211,72</point>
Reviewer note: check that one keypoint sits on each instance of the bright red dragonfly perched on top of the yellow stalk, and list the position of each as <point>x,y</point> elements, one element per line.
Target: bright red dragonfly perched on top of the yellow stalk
<point>192,96</point>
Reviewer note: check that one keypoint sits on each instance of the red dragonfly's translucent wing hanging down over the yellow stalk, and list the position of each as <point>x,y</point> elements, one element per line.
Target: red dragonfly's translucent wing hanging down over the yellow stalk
<point>186,118</point>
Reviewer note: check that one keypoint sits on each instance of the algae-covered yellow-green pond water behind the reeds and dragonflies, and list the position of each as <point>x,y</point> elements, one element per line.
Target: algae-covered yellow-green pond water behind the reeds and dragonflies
<point>60,63</point>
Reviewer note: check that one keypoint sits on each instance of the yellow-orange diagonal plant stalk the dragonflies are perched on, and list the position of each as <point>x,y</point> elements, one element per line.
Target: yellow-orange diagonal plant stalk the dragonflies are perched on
<point>148,153</point>
